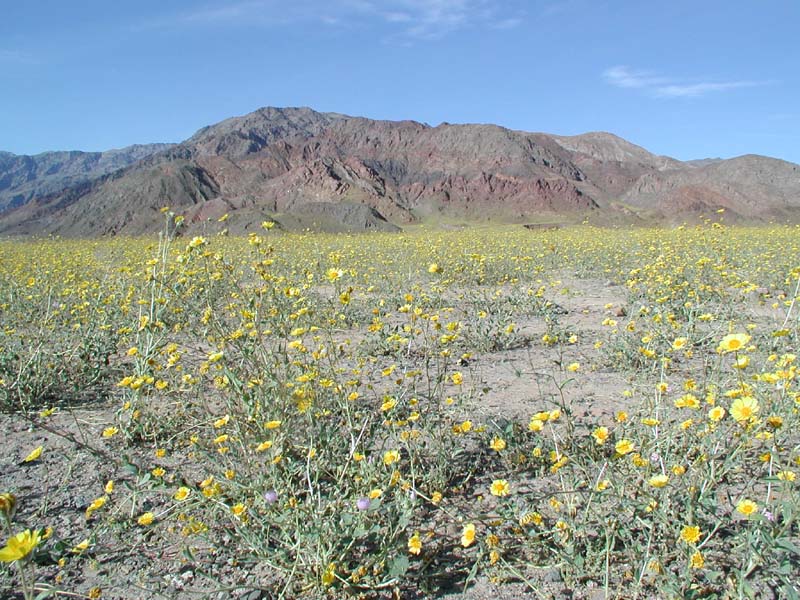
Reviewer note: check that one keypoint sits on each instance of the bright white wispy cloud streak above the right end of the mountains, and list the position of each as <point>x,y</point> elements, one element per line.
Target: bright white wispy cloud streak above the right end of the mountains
<point>665,87</point>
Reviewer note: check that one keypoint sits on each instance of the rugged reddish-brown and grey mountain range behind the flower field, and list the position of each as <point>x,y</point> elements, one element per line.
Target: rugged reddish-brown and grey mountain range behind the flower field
<point>329,171</point>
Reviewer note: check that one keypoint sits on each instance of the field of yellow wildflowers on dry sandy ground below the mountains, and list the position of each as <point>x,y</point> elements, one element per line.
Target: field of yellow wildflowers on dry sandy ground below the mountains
<point>577,413</point>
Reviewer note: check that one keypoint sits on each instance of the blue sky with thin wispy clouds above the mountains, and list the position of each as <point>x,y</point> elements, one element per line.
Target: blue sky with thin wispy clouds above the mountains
<point>689,79</point>
